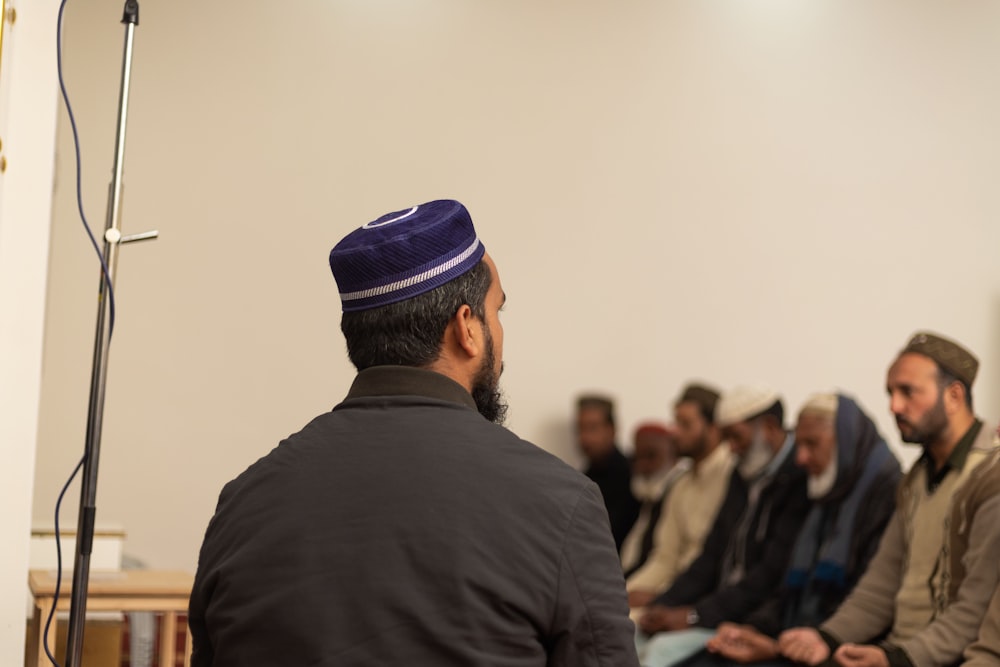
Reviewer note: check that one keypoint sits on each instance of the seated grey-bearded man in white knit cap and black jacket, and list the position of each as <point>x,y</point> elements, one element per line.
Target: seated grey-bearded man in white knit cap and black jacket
<point>751,541</point>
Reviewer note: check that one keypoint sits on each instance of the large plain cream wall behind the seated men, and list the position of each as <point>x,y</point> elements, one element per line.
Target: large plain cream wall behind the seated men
<point>770,191</point>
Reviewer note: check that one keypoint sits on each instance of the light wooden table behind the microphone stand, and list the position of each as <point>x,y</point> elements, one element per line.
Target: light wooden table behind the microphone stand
<point>162,592</point>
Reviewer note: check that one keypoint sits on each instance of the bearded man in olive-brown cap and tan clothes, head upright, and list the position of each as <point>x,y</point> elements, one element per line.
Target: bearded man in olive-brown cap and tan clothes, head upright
<point>928,586</point>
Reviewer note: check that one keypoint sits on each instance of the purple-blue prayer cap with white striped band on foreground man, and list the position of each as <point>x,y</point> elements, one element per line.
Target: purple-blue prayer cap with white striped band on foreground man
<point>405,253</point>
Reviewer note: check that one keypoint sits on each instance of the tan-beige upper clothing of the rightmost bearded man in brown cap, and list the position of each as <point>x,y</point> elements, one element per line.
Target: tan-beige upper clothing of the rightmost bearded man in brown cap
<point>930,582</point>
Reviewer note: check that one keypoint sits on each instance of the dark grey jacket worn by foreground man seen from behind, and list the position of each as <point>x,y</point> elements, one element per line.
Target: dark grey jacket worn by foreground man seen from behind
<point>402,528</point>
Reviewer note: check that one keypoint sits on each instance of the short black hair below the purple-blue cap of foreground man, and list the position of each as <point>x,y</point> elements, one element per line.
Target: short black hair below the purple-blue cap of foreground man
<point>410,332</point>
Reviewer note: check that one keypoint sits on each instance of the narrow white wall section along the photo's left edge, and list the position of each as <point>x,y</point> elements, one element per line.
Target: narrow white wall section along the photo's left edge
<point>27,131</point>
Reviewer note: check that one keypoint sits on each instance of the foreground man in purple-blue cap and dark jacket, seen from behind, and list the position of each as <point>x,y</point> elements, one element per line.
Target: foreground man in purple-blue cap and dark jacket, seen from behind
<point>407,526</point>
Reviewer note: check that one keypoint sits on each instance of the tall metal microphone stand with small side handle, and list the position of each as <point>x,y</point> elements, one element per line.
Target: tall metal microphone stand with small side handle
<point>112,239</point>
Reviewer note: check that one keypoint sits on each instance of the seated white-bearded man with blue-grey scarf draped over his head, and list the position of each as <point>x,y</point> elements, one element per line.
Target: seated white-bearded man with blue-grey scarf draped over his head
<point>853,477</point>
